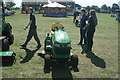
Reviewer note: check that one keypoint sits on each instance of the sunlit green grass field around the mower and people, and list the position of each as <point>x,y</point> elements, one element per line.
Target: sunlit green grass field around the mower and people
<point>105,48</point>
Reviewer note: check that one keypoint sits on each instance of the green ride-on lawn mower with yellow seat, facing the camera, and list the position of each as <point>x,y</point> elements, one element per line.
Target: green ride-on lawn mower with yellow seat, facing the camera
<point>57,48</point>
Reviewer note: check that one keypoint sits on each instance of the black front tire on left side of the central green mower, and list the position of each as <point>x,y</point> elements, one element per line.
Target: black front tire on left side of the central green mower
<point>47,64</point>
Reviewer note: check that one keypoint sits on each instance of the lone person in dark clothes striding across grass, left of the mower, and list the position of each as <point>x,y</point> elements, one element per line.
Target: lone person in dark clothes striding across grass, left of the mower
<point>32,30</point>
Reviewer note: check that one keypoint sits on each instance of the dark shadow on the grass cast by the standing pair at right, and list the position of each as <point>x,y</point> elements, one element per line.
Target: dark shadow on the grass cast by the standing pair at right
<point>97,61</point>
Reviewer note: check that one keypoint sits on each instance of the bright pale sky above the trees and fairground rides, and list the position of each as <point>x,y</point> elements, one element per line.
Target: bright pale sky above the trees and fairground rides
<point>85,3</point>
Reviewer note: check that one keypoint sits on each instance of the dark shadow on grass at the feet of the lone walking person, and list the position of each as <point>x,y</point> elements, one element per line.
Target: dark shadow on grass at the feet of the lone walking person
<point>29,55</point>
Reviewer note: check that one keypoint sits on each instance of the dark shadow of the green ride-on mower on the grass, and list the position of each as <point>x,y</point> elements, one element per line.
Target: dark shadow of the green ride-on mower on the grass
<point>59,71</point>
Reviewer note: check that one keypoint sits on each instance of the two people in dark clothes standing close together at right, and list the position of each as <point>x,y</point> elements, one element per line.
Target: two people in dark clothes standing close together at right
<point>88,23</point>
